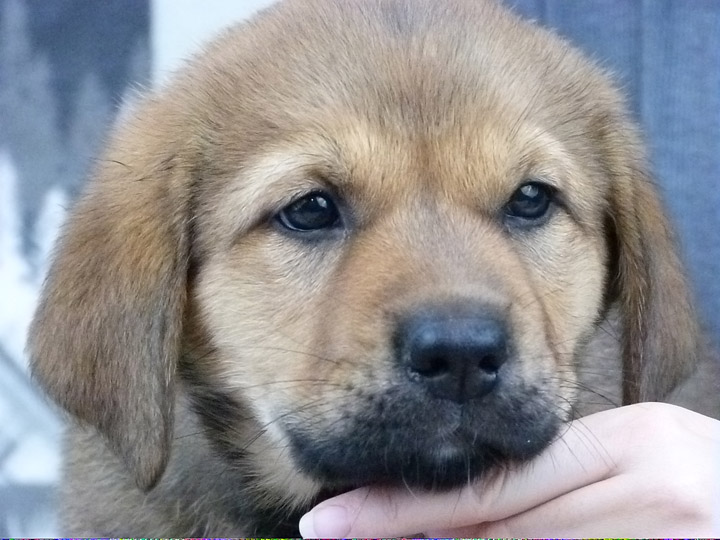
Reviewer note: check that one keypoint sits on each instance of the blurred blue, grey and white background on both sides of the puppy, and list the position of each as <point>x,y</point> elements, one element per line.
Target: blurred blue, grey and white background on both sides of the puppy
<point>67,66</point>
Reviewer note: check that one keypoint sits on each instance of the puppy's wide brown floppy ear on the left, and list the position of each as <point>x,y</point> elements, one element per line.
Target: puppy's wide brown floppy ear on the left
<point>106,336</point>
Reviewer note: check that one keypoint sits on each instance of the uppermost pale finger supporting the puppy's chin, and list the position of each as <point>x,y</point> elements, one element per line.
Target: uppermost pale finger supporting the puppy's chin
<point>575,460</point>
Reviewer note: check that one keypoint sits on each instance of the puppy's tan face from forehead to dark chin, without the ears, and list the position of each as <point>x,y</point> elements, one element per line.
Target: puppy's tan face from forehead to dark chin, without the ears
<point>397,278</point>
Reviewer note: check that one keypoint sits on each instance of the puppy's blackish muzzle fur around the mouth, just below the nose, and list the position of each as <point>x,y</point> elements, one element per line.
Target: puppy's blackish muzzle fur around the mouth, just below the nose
<point>433,445</point>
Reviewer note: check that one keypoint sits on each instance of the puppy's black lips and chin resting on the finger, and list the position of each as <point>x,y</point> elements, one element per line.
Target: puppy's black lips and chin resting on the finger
<point>441,456</point>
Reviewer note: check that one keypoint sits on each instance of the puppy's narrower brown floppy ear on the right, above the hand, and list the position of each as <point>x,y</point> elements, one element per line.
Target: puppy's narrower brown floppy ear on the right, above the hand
<point>660,331</point>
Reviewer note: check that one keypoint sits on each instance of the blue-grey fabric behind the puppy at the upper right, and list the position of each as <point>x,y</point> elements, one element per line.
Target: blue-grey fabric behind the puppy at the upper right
<point>666,54</point>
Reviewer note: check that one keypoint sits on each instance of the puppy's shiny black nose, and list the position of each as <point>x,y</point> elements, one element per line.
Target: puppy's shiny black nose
<point>454,356</point>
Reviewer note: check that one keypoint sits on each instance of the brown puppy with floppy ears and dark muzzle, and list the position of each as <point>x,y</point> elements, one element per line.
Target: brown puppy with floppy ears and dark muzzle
<point>353,242</point>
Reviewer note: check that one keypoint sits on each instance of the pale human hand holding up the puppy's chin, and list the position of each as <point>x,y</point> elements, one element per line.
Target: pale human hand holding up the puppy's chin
<point>645,470</point>
